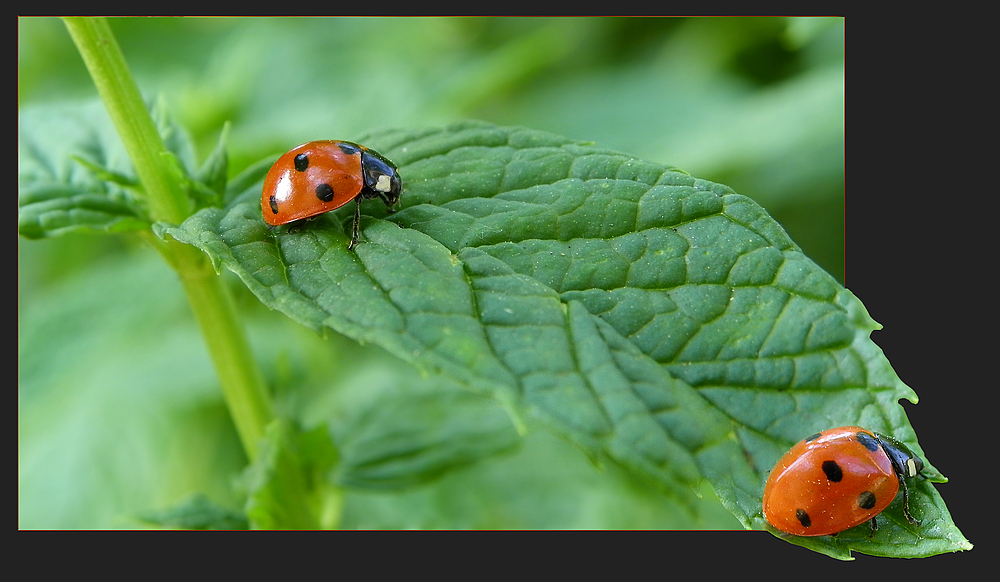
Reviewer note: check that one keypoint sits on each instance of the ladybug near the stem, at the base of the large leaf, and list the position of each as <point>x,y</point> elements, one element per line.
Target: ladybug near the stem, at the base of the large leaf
<point>321,176</point>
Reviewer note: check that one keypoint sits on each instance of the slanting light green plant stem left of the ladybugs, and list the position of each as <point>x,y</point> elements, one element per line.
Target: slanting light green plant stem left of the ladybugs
<point>241,379</point>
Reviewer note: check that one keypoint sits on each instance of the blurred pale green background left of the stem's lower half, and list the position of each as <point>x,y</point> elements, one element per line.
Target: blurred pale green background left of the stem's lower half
<point>110,427</point>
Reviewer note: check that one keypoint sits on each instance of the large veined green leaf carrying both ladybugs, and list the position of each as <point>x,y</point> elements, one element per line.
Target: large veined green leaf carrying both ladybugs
<point>655,319</point>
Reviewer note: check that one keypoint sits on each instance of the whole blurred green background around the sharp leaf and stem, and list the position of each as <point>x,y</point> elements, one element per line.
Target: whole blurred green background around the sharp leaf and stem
<point>754,103</point>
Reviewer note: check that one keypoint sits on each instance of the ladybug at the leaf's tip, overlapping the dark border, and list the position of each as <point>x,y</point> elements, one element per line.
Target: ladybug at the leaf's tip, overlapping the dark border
<point>837,479</point>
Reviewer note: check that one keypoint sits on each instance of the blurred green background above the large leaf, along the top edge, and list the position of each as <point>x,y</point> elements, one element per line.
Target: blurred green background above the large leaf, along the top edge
<point>753,103</point>
